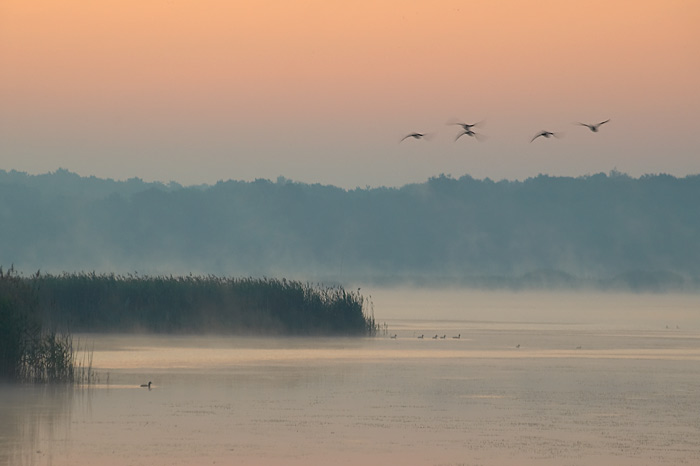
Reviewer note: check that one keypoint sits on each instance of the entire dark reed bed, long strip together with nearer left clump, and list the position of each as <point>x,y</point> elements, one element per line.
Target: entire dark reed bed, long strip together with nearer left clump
<point>90,302</point>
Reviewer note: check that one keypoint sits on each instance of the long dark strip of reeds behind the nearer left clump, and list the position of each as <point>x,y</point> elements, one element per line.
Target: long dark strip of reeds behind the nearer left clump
<point>89,302</point>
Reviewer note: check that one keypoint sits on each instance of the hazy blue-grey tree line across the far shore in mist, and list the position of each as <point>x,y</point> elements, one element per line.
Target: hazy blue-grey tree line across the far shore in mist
<point>609,230</point>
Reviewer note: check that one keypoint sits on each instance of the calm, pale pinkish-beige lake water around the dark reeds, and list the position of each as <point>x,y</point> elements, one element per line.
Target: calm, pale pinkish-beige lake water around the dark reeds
<point>533,379</point>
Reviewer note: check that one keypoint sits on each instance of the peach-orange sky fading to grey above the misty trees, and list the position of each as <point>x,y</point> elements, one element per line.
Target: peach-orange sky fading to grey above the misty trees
<point>197,91</point>
